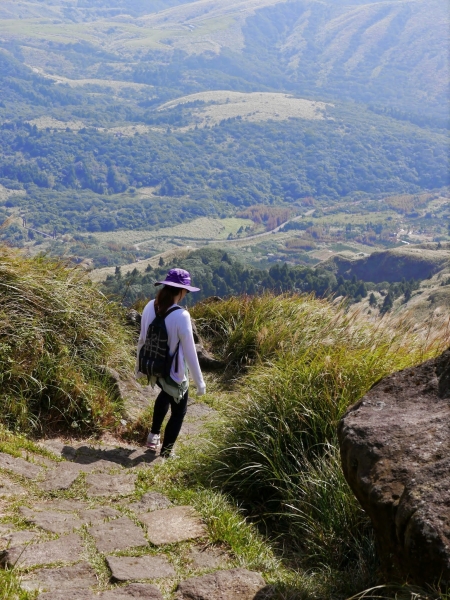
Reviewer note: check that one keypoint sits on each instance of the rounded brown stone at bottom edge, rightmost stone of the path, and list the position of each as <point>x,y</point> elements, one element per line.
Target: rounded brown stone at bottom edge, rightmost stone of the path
<point>224,585</point>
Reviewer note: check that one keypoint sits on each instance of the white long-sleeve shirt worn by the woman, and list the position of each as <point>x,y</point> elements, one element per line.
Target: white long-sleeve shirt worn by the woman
<point>179,329</point>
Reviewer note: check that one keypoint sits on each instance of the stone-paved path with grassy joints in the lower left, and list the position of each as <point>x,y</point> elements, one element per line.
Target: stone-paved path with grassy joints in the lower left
<point>77,526</point>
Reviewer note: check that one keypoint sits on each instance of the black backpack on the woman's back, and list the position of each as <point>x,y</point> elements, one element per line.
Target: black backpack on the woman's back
<point>154,358</point>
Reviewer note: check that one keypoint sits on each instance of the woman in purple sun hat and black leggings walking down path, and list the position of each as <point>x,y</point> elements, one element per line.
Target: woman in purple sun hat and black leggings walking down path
<point>183,357</point>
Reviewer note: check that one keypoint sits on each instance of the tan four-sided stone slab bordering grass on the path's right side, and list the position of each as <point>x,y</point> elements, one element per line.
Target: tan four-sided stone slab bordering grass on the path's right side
<point>173,525</point>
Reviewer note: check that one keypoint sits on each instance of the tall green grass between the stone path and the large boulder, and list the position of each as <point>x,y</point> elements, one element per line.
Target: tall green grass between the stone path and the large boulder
<point>299,363</point>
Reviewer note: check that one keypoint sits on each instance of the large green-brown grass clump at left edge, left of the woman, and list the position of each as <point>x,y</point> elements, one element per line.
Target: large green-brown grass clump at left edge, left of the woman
<point>57,333</point>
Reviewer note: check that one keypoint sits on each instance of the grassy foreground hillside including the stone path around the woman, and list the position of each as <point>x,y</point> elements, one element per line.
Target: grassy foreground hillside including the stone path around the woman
<point>258,458</point>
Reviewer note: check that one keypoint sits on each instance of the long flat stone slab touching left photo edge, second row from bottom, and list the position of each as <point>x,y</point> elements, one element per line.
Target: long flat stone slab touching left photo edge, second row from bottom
<point>66,549</point>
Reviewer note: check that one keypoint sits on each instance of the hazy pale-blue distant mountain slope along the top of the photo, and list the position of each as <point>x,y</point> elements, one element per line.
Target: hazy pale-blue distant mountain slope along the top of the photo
<point>392,55</point>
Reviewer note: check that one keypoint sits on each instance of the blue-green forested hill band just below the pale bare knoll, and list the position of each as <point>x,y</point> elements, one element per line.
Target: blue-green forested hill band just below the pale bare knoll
<point>90,179</point>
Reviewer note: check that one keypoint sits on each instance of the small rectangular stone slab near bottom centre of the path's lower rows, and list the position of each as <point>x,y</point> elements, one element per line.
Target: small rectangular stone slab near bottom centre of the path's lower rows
<point>134,568</point>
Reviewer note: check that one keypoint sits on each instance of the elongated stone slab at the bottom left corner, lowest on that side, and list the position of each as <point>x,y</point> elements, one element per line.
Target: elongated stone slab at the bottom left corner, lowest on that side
<point>76,577</point>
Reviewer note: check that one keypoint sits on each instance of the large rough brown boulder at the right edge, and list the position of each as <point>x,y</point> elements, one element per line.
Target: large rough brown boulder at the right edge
<point>395,450</point>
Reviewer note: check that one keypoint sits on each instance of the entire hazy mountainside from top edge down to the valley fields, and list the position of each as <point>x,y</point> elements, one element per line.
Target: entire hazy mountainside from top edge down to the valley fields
<point>120,115</point>
